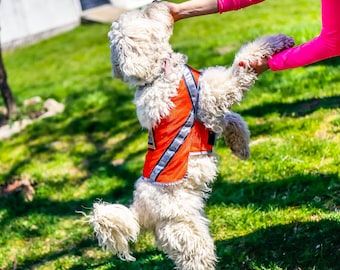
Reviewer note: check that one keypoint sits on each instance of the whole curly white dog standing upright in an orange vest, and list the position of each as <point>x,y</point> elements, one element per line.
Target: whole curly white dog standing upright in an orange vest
<point>184,110</point>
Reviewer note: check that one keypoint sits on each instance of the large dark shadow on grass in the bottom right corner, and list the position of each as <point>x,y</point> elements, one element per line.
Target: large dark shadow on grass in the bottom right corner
<point>307,245</point>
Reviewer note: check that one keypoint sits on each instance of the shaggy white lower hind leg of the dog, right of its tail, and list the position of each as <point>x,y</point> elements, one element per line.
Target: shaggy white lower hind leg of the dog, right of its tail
<point>187,242</point>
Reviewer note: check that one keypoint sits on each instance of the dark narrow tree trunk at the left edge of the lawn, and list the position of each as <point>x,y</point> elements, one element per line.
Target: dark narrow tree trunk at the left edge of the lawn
<point>5,88</point>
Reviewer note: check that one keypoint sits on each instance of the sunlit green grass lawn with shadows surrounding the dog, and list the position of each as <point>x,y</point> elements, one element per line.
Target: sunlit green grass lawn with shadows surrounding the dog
<point>277,210</point>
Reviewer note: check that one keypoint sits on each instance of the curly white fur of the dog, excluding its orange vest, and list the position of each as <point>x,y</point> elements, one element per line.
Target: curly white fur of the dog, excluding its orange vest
<point>143,57</point>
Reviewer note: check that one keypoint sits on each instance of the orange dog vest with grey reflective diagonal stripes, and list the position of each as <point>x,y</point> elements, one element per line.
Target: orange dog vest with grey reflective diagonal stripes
<point>177,135</point>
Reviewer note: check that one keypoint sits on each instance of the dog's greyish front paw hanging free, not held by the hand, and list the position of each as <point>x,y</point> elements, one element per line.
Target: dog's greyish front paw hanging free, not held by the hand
<point>236,135</point>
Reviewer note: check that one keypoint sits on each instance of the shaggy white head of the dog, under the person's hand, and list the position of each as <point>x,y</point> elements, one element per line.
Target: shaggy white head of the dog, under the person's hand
<point>139,42</point>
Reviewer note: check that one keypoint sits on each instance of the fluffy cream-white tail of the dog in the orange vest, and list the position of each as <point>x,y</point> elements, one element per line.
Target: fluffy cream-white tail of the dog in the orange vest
<point>115,226</point>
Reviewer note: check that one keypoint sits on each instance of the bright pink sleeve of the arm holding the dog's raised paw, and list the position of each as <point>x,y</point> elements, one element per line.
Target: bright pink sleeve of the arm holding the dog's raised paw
<point>326,45</point>
